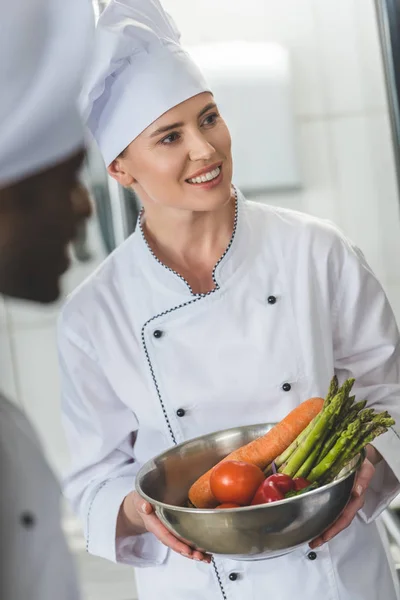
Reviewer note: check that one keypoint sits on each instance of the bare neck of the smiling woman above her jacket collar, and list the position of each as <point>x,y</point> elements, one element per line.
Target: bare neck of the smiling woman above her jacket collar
<point>190,243</point>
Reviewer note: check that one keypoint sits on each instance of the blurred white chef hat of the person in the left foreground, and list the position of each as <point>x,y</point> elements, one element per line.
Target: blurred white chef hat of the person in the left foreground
<point>43,47</point>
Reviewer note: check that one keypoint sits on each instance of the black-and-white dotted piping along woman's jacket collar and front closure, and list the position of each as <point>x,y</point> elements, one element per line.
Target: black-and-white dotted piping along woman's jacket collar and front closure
<point>196,298</point>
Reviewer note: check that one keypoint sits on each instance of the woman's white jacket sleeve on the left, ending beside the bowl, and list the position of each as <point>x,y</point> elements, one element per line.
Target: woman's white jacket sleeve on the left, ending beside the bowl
<point>100,432</point>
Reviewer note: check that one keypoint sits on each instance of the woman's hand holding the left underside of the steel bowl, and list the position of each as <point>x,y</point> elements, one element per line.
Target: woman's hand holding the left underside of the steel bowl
<point>138,515</point>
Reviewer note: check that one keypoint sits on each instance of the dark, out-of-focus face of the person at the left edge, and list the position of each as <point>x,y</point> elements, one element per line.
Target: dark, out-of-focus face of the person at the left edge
<point>38,218</point>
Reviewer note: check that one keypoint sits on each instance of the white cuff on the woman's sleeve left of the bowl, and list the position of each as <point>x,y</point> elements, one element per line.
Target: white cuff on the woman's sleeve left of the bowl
<point>142,550</point>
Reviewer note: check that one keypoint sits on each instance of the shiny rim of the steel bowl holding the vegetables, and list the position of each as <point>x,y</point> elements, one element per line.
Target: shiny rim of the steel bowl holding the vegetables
<point>358,460</point>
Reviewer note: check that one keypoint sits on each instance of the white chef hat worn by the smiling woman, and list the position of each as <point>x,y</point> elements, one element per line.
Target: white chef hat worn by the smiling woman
<point>139,72</point>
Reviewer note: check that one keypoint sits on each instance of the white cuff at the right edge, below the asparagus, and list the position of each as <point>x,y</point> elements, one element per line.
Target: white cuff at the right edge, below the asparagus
<point>385,484</point>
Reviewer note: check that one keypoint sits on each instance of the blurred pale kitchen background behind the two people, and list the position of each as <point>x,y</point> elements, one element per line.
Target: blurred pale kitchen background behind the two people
<point>318,137</point>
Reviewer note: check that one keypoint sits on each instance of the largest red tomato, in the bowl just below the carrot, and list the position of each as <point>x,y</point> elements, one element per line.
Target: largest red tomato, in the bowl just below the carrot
<point>235,481</point>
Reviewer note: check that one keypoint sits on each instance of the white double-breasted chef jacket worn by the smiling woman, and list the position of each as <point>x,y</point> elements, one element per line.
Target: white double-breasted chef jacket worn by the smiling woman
<point>294,303</point>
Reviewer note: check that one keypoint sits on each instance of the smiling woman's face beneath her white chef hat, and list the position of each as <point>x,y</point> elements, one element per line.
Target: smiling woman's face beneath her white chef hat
<point>182,161</point>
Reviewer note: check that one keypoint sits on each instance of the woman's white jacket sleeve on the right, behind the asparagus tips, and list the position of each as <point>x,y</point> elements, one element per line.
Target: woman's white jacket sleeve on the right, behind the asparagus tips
<point>366,346</point>
